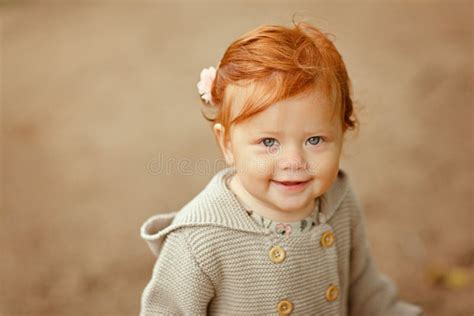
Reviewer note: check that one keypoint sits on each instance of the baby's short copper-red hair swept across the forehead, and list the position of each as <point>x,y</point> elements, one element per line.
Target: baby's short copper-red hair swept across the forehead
<point>272,63</point>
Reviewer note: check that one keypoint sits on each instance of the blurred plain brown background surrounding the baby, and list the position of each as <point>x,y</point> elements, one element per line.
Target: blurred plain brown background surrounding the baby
<point>94,95</point>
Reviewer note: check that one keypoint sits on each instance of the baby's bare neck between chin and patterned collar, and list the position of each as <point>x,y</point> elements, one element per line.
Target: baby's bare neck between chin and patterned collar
<point>251,203</point>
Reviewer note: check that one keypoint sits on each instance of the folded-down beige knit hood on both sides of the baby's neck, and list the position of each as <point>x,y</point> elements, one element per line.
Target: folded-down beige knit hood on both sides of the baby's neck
<point>217,205</point>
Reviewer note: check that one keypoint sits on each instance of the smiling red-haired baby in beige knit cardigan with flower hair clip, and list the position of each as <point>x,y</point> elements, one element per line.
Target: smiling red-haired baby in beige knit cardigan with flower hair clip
<point>279,230</point>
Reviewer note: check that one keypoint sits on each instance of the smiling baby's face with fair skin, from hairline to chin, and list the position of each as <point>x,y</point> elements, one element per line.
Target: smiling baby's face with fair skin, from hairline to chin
<point>293,140</point>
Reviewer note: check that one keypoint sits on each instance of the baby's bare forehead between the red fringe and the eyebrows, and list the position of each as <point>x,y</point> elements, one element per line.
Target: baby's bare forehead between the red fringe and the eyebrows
<point>311,111</point>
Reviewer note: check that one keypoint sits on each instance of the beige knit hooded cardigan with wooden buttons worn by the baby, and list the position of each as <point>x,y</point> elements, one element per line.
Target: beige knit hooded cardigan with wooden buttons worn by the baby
<point>213,259</point>
